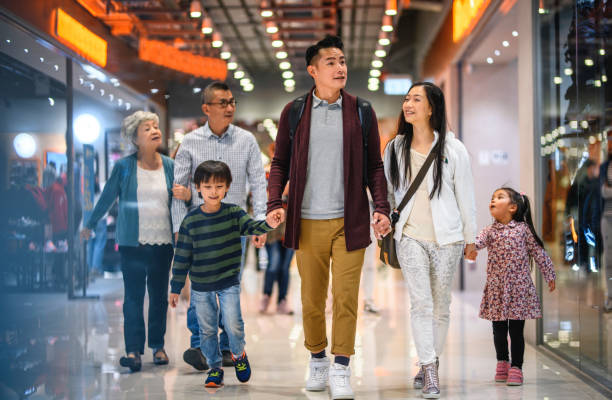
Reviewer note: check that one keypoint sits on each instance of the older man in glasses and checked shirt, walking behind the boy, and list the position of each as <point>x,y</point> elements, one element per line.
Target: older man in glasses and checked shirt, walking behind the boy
<point>221,141</point>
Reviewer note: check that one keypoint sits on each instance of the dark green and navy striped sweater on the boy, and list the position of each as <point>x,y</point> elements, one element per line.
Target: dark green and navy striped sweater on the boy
<point>209,248</point>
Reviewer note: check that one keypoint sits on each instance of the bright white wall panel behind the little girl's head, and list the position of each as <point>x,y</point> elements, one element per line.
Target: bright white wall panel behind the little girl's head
<point>490,123</point>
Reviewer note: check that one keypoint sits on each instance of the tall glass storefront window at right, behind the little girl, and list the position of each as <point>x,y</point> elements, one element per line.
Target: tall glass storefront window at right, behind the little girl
<point>576,144</point>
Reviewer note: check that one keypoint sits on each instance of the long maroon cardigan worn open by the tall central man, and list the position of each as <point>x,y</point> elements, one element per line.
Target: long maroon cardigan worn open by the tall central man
<point>356,211</point>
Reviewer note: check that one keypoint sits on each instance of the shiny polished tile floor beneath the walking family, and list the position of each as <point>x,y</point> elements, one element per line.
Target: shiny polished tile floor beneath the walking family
<point>70,350</point>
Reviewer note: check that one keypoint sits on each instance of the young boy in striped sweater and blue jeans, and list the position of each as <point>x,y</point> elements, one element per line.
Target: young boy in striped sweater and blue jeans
<point>209,250</point>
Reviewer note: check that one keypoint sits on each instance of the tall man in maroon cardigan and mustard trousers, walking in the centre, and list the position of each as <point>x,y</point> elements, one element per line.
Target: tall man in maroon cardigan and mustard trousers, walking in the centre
<point>327,214</point>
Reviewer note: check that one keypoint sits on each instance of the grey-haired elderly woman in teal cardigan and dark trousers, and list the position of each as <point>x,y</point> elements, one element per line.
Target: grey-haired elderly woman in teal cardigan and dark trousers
<point>143,183</point>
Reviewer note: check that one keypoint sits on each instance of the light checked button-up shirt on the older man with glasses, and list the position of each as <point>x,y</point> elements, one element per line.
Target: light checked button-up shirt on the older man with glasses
<point>239,150</point>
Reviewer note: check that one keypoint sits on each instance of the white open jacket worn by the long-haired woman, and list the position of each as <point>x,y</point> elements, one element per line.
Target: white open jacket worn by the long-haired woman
<point>454,209</point>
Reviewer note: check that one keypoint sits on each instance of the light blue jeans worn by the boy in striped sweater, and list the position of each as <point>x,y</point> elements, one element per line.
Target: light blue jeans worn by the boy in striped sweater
<point>208,315</point>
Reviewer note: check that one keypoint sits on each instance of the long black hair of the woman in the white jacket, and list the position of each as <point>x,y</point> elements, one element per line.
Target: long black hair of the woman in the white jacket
<point>437,123</point>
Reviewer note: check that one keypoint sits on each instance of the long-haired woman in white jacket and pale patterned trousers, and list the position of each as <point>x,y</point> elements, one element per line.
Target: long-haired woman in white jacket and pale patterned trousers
<point>435,225</point>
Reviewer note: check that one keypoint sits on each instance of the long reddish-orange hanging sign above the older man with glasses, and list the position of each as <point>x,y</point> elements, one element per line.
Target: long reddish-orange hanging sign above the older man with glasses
<point>167,56</point>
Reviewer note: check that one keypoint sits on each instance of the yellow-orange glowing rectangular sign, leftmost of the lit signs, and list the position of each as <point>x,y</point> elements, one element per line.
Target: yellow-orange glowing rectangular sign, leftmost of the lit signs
<point>80,39</point>
